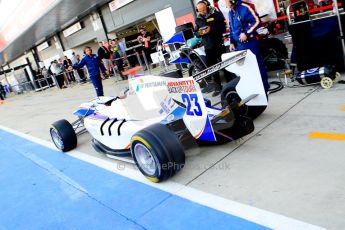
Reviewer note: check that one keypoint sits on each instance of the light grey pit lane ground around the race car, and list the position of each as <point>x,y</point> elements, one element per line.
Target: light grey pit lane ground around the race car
<point>276,168</point>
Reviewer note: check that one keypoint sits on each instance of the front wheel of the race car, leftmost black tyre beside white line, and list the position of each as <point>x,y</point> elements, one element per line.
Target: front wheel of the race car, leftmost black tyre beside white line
<point>63,135</point>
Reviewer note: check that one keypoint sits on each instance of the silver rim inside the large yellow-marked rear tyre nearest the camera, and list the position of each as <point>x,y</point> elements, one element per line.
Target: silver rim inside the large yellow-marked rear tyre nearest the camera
<point>145,159</point>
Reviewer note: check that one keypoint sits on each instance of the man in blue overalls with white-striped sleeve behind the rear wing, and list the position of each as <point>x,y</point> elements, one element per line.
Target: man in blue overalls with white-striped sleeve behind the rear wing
<point>244,22</point>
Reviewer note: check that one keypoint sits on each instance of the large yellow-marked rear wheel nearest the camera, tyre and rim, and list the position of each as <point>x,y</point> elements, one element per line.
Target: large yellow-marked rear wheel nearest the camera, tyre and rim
<point>157,152</point>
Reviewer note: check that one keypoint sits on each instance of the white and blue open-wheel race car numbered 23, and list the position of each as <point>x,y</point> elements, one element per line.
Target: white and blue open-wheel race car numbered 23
<point>153,114</point>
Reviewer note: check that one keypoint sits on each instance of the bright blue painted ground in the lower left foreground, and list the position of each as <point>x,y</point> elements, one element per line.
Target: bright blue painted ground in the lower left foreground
<point>45,189</point>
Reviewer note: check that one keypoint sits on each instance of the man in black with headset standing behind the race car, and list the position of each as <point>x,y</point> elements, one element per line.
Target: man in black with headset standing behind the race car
<point>210,26</point>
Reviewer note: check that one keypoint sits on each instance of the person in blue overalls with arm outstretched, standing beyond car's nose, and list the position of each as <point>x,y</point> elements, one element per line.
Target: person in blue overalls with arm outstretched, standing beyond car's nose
<point>93,65</point>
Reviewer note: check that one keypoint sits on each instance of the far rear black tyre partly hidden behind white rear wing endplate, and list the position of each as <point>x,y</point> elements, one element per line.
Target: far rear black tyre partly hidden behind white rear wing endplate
<point>230,97</point>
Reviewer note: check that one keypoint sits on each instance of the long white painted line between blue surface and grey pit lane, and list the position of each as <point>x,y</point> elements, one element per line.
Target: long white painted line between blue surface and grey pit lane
<point>250,213</point>
